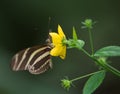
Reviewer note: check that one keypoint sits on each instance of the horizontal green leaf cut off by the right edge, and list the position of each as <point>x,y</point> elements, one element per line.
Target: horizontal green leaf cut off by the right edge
<point>108,51</point>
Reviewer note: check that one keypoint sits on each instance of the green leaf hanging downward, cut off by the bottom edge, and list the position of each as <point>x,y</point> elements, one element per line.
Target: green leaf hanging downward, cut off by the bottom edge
<point>93,82</point>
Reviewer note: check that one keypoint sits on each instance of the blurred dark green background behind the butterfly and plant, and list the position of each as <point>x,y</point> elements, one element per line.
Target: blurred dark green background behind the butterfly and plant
<point>25,23</point>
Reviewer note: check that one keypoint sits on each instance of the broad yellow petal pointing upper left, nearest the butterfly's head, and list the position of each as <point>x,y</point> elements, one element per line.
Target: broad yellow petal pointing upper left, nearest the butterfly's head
<point>55,38</point>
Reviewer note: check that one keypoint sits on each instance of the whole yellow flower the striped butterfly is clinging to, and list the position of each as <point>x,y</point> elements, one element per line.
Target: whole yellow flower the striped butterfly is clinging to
<point>59,48</point>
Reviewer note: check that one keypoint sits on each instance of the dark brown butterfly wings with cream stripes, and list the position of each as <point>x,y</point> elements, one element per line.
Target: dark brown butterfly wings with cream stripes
<point>35,59</point>
